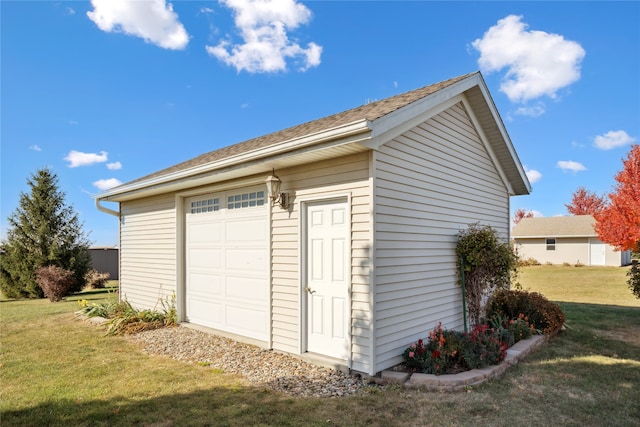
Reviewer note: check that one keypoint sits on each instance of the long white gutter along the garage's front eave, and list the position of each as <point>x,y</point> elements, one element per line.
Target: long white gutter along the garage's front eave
<point>335,133</point>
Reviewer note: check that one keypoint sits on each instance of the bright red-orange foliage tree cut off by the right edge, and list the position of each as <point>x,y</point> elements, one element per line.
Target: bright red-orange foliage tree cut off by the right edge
<point>619,223</point>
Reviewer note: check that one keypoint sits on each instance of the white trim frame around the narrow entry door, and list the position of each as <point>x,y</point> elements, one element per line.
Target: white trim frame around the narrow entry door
<point>302,202</point>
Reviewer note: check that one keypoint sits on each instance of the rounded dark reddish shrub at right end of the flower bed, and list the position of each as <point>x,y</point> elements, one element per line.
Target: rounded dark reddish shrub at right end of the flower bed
<point>543,314</point>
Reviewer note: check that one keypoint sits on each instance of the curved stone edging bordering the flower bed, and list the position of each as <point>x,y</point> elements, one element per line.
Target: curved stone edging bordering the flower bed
<point>463,380</point>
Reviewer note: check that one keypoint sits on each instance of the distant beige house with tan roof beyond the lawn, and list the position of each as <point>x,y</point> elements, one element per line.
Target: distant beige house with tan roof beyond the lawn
<point>565,239</point>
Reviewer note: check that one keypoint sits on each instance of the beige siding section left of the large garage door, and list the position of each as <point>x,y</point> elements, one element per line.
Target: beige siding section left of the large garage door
<point>148,251</point>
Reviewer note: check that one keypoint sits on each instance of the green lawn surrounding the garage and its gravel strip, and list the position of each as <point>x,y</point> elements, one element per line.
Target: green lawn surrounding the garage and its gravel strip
<point>59,371</point>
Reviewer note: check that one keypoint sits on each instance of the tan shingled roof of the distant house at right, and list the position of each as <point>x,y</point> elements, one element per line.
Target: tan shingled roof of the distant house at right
<point>557,226</point>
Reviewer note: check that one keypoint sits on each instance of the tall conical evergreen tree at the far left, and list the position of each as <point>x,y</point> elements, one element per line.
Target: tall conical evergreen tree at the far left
<point>42,231</point>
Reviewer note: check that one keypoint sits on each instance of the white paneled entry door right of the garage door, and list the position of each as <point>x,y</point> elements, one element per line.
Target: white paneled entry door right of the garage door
<point>327,278</point>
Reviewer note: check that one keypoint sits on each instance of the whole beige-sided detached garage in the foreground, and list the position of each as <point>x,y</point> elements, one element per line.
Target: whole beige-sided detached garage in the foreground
<point>353,257</point>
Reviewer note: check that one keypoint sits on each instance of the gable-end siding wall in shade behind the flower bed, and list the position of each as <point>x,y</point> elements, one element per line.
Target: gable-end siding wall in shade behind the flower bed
<point>431,182</point>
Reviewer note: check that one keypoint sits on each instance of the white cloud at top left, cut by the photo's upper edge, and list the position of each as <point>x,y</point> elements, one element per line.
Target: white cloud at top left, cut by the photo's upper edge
<point>152,20</point>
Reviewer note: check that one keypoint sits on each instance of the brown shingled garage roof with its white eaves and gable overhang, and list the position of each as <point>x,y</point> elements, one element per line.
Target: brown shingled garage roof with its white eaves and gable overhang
<point>344,133</point>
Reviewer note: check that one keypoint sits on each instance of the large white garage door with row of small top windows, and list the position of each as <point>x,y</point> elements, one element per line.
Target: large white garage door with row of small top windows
<point>227,263</point>
